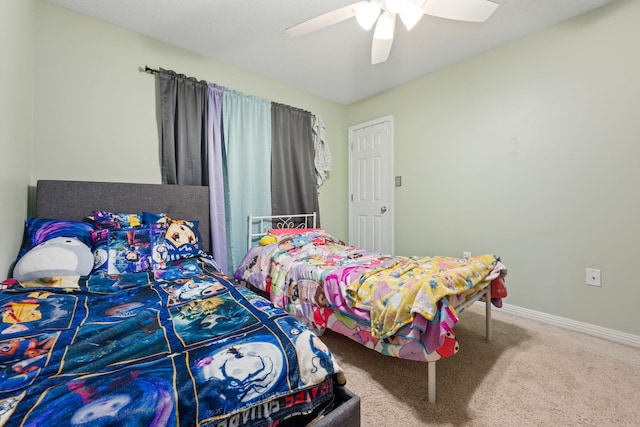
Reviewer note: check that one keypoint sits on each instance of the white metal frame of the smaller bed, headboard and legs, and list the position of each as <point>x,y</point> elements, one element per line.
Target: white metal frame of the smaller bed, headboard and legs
<point>260,225</point>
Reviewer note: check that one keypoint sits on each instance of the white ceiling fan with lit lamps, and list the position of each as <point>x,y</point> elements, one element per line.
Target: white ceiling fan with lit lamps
<point>383,14</point>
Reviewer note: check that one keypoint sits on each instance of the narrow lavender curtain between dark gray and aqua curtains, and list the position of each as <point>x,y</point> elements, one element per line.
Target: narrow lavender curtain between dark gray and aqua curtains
<point>215,153</point>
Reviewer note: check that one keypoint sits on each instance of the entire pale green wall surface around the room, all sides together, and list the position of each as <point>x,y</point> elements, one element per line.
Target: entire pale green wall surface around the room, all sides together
<point>528,151</point>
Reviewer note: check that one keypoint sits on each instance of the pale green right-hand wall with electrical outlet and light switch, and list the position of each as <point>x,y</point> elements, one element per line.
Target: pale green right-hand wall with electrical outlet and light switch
<point>530,151</point>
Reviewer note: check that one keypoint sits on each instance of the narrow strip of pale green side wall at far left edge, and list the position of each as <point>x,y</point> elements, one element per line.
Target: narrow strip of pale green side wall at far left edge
<point>16,122</point>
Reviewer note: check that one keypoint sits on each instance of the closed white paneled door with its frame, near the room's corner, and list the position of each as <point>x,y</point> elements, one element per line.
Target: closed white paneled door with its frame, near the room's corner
<point>371,185</point>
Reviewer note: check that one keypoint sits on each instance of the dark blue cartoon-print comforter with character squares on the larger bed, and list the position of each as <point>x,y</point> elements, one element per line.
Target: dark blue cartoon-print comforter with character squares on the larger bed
<point>183,348</point>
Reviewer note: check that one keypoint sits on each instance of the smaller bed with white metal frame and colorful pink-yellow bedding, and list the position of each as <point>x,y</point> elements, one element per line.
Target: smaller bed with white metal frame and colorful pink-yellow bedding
<point>403,307</point>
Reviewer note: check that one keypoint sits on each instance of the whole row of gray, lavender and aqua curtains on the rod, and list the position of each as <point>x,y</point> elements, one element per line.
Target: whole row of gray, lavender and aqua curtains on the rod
<point>257,157</point>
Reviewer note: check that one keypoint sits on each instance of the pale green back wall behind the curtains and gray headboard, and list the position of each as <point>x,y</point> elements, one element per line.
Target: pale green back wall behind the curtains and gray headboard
<point>96,118</point>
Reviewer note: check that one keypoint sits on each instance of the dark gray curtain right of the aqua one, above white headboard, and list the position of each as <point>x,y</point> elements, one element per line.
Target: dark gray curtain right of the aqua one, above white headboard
<point>293,181</point>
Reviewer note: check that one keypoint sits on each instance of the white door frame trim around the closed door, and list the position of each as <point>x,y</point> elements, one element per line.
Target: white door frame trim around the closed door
<point>389,161</point>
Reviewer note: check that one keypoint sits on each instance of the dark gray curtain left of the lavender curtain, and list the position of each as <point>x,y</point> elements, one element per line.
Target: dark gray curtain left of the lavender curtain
<point>184,129</point>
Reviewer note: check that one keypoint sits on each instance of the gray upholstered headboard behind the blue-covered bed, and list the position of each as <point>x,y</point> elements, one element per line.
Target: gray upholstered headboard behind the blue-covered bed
<point>75,200</point>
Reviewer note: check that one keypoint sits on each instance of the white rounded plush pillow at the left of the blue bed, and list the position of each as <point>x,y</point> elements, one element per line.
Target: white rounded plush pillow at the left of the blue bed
<point>60,256</point>
